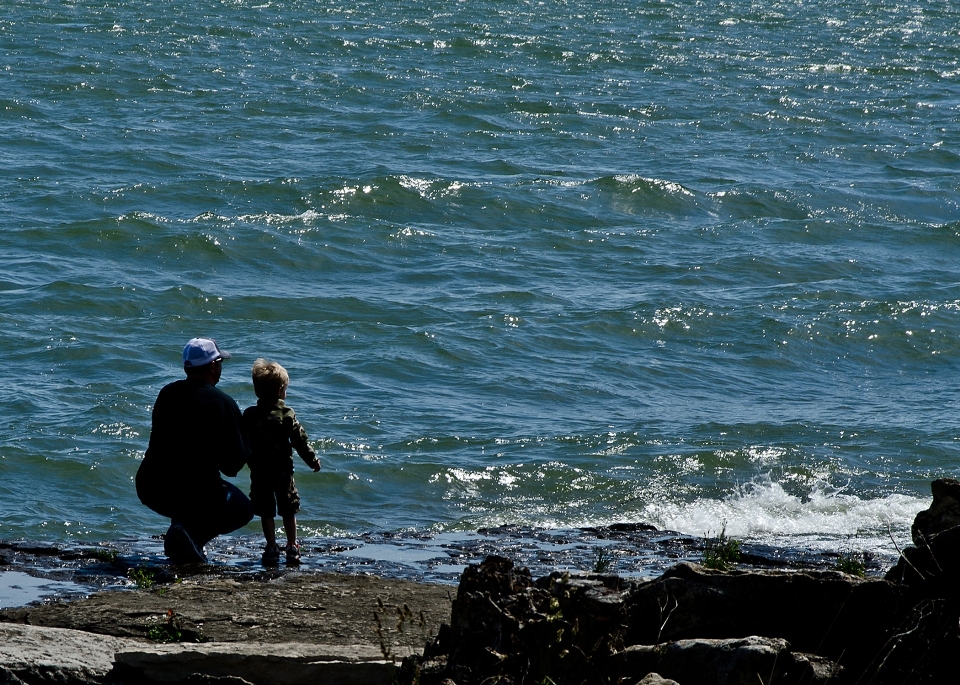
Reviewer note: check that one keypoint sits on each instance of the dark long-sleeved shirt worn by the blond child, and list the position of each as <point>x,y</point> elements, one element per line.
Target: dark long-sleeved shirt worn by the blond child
<point>274,433</point>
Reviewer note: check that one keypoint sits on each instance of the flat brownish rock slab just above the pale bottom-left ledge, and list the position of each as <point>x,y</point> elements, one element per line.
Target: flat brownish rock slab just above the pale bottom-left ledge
<point>326,609</point>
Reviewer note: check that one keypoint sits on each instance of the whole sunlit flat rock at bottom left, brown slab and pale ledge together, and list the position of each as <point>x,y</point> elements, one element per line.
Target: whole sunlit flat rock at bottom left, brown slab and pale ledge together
<point>298,628</point>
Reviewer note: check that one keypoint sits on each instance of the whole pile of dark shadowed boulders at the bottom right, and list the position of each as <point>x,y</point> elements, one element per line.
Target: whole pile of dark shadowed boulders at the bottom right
<point>696,626</point>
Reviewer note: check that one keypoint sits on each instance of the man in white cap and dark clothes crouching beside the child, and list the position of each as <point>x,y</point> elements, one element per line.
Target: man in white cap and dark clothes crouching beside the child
<point>197,434</point>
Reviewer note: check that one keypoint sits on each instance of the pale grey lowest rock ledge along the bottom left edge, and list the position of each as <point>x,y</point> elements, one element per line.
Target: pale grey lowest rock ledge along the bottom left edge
<point>33,655</point>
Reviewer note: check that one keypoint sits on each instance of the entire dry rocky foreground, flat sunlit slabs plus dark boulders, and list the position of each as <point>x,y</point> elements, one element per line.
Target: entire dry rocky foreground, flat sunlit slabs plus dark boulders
<point>690,625</point>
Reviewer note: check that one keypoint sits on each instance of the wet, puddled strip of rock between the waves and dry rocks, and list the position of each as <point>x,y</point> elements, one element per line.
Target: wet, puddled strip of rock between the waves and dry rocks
<point>632,550</point>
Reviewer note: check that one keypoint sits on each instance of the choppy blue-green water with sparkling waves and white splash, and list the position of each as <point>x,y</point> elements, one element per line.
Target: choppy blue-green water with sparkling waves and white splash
<point>553,264</point>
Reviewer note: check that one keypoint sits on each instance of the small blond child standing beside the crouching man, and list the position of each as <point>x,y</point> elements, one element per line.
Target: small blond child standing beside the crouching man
<point>274,432</point>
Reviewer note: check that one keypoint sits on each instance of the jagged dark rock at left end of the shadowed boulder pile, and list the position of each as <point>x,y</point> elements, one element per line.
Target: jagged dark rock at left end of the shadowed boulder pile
<point>505,626</point>
